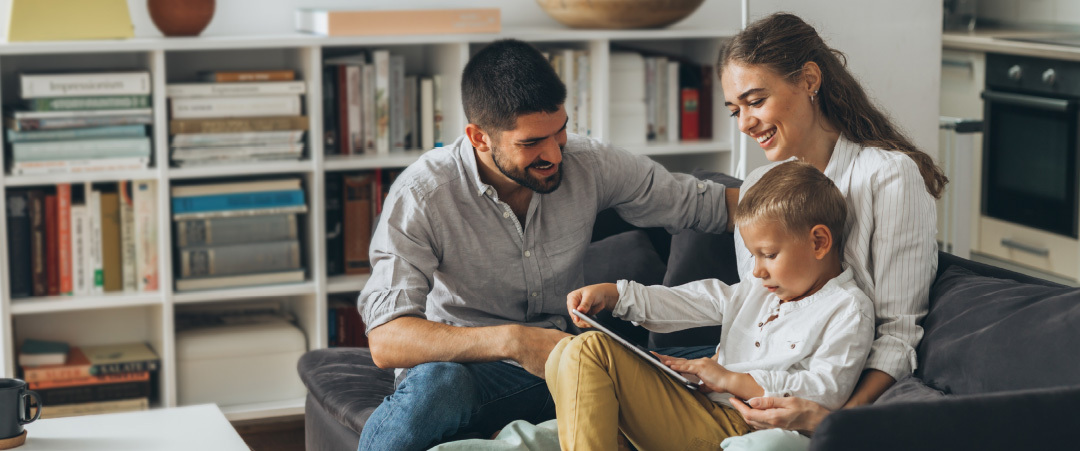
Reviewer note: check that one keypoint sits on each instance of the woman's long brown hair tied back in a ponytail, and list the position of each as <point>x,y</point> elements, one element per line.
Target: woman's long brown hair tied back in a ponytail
<point>785,44</point>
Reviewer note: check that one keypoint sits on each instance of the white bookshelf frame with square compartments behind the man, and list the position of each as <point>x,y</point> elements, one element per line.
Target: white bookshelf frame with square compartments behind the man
<point>150,317</point>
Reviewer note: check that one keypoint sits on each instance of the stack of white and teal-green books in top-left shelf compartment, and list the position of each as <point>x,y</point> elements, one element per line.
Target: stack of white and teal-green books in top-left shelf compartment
<point>80,124</point>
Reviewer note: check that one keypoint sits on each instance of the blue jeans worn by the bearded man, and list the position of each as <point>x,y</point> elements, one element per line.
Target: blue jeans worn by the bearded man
<point>441,400</point>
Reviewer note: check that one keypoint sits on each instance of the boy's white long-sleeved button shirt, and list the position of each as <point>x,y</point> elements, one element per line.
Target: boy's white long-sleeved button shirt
<point>816,349</point>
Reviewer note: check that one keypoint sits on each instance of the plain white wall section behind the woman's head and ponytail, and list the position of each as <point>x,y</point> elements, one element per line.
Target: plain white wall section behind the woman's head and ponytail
<point>894,49</point>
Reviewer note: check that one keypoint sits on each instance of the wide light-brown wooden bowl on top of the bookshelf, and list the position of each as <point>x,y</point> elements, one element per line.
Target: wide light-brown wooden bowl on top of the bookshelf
<point>616,15</point>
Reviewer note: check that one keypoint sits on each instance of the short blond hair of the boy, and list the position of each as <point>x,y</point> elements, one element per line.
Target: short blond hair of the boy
<point>798,197</point>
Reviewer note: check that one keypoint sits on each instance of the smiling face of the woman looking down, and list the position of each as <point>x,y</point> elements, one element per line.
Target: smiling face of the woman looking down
<point>777,114</point>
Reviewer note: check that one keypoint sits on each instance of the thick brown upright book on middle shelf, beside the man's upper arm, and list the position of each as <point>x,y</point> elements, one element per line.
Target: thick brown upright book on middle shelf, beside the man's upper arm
<point>359,210</point>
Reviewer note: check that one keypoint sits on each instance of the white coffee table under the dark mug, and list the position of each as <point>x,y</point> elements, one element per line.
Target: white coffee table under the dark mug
<point>196,428</point>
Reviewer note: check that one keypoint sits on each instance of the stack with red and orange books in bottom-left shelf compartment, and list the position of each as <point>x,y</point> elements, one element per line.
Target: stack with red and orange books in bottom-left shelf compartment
<point>103,379</point>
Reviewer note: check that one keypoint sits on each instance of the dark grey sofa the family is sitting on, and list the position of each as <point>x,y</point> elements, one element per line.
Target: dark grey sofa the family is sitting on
<point>1000,365</point>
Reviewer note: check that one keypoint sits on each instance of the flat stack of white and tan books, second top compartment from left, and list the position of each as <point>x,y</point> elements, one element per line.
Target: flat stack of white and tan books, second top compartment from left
<point>238,117</point>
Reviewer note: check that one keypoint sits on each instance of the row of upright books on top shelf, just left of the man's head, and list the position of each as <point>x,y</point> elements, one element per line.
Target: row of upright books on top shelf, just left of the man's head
<point>371,106</point>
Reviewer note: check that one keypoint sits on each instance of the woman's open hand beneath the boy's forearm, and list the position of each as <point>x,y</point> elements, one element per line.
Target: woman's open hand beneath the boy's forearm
<point>789,414</point>
